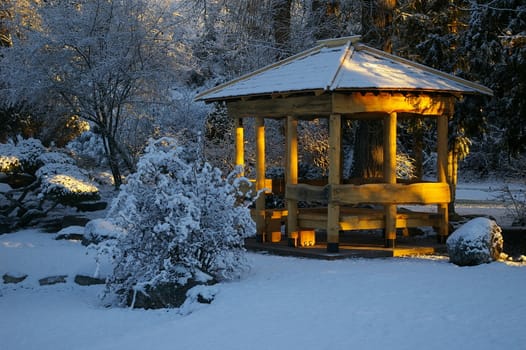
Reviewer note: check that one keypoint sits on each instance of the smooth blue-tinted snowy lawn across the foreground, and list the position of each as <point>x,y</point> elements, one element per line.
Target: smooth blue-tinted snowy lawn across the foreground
<point>283,303</point>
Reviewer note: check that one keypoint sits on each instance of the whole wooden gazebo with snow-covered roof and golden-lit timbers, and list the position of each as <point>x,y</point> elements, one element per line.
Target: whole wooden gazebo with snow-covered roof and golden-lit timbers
<point>342,79</point>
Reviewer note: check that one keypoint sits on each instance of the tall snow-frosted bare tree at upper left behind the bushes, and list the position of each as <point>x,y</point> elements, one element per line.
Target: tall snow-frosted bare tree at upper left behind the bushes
<point>107,61</point>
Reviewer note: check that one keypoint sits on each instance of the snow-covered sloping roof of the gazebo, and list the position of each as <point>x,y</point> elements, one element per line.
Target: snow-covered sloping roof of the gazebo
<point>342,65</point>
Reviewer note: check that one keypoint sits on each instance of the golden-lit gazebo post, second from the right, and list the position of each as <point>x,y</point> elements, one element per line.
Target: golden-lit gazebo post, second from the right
<point>390,123</point>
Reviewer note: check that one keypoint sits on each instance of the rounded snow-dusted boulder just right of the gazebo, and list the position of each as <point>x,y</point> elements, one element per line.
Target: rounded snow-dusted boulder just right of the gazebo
<point>476,242</point>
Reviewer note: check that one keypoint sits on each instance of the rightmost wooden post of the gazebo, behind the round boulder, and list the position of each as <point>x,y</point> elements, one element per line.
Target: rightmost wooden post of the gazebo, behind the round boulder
<point>442,160</point>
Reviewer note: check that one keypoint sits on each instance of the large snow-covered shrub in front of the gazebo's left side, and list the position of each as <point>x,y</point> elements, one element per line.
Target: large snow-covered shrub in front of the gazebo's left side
<point>185,225</point>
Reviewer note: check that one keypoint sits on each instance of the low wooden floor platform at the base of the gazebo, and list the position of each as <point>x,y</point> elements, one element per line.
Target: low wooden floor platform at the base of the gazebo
<point>355,245</point>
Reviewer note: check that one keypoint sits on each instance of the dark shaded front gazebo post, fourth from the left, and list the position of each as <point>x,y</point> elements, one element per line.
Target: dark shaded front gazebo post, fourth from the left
<point>333,210</point>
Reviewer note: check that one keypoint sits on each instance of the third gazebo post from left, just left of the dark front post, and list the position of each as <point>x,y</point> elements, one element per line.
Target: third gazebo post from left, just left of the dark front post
<point>292,179</point>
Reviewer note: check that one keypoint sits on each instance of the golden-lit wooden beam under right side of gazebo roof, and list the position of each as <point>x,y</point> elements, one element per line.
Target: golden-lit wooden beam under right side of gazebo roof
<point>391,102</point>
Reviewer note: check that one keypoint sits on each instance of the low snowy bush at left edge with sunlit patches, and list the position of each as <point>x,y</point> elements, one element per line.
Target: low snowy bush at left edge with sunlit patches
<point>38,181</point>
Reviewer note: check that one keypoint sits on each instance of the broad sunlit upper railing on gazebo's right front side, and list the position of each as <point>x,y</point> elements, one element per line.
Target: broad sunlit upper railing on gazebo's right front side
<point>418,193</point>
